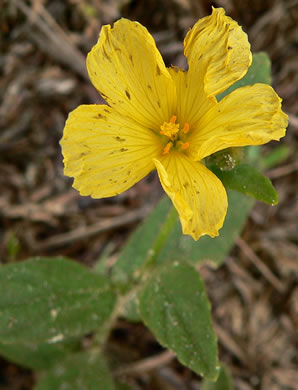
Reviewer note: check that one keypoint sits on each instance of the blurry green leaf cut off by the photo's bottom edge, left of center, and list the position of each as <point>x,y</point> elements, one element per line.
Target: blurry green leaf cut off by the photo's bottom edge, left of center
<point>82,371</point>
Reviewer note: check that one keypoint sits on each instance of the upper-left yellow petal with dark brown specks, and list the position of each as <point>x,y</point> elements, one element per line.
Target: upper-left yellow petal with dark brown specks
<point>128,71</point>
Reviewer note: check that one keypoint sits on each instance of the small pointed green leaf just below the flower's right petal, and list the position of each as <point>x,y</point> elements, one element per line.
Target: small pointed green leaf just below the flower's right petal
<point>248,180</point>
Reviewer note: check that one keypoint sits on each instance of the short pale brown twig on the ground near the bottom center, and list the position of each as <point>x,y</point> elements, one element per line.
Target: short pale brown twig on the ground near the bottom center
<point>148,364</point>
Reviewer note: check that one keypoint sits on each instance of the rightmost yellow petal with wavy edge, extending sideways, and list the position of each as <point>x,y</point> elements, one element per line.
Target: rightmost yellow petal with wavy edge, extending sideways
<point>250,115</point>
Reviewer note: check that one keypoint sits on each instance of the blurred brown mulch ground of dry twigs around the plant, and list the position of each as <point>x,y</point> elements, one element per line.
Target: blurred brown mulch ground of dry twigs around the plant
<point>43,77</point>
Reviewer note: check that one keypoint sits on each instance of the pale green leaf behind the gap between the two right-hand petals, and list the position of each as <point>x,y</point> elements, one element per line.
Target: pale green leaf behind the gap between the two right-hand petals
<point>258,72</point>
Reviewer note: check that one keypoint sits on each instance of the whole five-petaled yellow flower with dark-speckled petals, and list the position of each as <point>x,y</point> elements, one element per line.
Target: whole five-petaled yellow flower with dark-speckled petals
<point>167,118</point>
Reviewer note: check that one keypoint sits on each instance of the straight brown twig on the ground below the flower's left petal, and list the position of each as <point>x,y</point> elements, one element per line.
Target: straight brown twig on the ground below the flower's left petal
<point>88,231</point>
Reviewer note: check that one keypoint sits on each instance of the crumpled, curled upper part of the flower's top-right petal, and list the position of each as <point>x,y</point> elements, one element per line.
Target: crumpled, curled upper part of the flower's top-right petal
<point>218,53</point>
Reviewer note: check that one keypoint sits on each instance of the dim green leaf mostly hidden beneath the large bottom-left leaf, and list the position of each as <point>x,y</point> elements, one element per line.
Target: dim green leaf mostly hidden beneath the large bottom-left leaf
<point>37,356</point>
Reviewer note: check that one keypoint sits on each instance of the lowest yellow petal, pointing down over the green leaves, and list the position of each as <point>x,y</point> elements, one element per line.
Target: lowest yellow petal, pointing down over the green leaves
<point>198,195</point>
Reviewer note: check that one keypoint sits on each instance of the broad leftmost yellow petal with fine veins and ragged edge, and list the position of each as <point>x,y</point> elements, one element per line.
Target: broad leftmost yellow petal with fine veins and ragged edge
<point>105,152</point>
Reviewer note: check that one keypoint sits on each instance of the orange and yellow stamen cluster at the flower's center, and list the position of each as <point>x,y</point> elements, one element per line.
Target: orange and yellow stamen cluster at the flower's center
<point>176,136</point>
